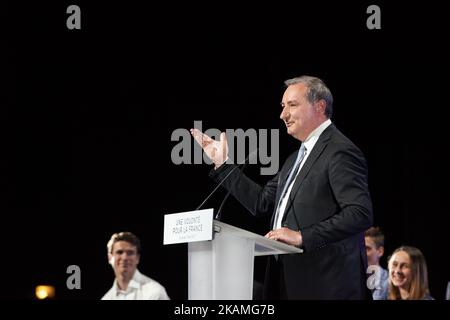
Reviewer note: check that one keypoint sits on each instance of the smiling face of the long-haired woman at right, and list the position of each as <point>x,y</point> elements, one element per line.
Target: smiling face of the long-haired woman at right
<point>400,270</point>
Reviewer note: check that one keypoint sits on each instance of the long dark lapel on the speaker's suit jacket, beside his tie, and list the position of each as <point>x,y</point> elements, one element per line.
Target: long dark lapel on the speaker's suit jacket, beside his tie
<point>315,153</point>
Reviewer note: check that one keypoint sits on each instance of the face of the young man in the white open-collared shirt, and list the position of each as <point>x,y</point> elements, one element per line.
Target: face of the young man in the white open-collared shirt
<point>125,258</point>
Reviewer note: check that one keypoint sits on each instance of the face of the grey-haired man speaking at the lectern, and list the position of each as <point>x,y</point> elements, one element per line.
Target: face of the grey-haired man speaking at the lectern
<point>299,115</point>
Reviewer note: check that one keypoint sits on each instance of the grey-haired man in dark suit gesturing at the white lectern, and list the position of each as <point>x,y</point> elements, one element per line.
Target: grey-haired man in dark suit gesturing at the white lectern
<point>319,200</point>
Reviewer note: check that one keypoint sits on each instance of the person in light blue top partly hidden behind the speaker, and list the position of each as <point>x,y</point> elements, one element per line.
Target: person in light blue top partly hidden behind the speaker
<point>378,277</point>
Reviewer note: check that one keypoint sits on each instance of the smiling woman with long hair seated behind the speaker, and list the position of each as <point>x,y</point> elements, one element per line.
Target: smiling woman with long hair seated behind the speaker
<point>408,276</point>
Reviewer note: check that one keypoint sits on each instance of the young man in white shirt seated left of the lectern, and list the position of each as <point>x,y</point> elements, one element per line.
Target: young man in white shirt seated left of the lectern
<point>124,251</point>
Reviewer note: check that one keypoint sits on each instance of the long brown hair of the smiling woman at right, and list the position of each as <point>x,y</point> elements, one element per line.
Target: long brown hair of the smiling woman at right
<point>419,281</point>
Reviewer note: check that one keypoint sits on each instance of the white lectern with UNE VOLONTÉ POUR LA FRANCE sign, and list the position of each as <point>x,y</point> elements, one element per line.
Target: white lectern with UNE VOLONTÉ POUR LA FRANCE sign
<point>221,268</point>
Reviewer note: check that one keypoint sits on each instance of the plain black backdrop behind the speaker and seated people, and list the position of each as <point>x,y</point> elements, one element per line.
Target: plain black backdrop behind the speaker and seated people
<point>87,117</point>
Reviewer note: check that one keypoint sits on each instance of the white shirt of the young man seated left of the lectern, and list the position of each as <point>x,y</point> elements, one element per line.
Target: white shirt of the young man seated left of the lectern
<point>140,288</point>
